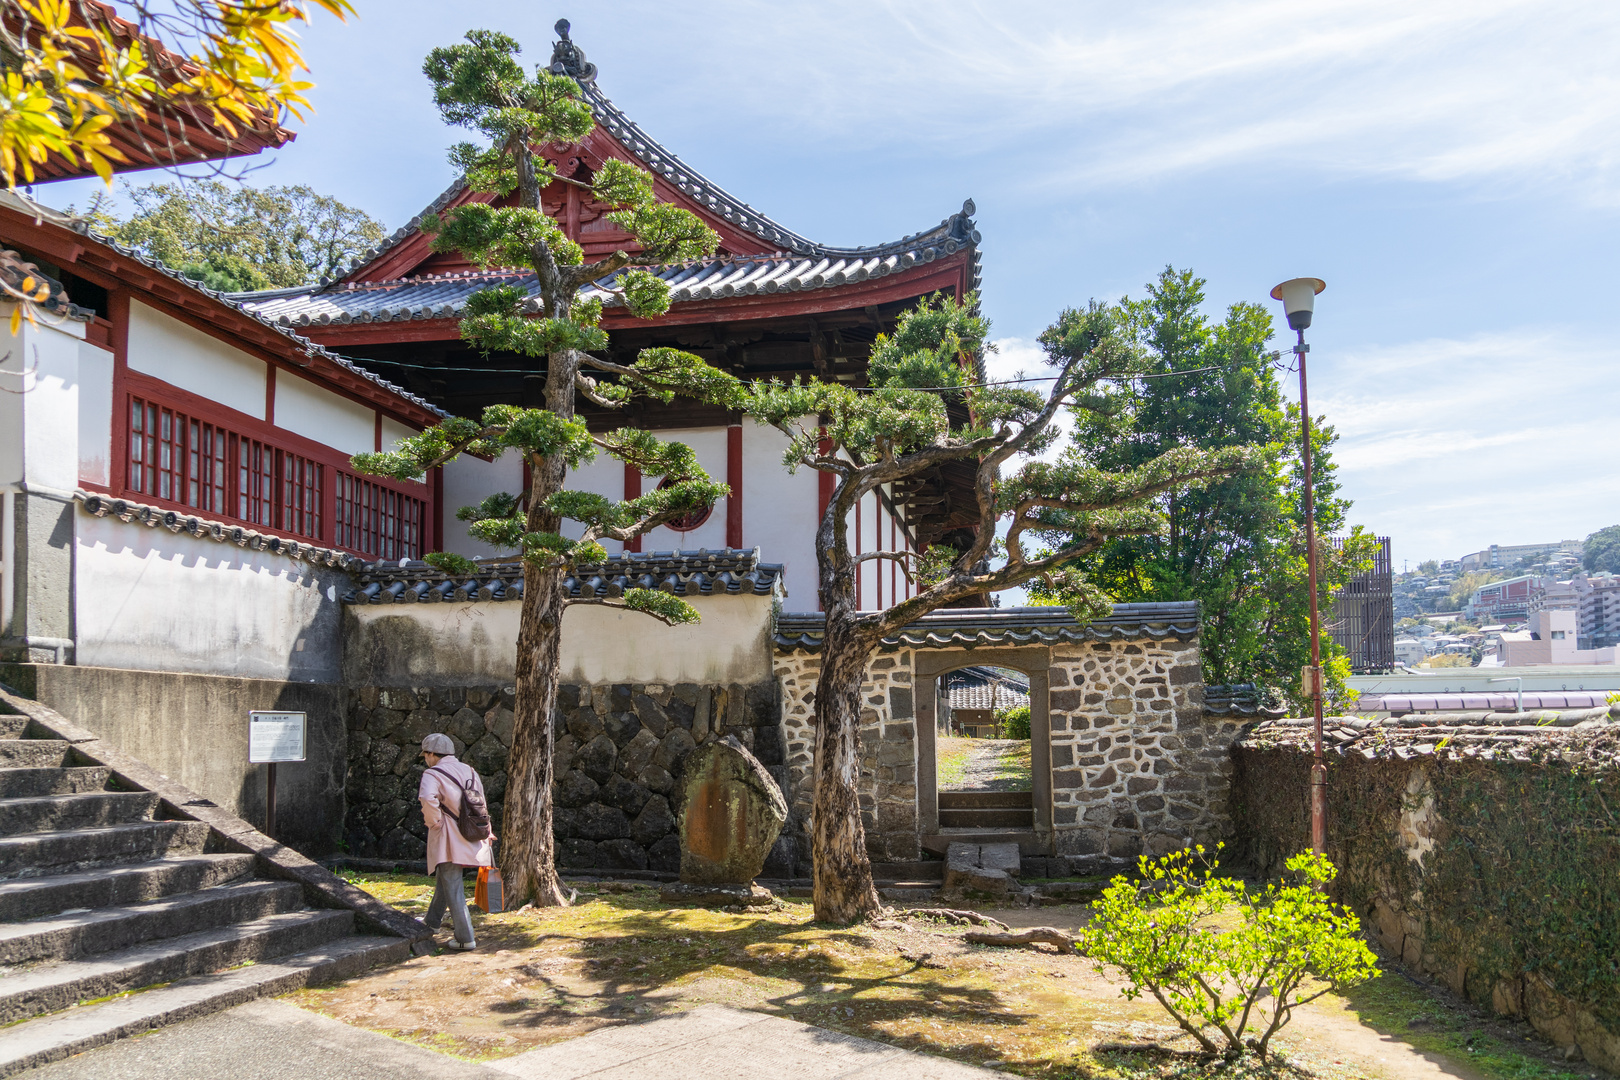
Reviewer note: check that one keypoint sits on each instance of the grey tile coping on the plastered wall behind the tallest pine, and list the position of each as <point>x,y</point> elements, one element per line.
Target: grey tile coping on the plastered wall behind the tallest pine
<point>678,572</point>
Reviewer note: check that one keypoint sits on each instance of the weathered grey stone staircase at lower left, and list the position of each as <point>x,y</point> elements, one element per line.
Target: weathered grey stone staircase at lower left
<point>119,916</point>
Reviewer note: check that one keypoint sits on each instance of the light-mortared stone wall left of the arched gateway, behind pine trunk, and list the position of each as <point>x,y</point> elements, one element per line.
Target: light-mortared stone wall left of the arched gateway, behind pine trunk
<point>889,744</point>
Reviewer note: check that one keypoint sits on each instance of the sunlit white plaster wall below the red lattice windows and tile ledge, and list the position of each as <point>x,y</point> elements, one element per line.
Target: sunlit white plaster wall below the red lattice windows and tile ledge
<point>153,600</point>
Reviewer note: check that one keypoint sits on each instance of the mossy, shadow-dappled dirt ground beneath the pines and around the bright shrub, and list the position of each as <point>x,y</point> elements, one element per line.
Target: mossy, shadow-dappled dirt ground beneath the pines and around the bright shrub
<point>623,955</point>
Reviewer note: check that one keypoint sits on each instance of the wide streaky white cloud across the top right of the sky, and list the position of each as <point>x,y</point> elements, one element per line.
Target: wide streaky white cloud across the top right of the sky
<point>1114,95</point>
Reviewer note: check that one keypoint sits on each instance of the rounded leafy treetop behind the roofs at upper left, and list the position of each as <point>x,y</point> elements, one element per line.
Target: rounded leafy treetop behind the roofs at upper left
<point>241,239</point>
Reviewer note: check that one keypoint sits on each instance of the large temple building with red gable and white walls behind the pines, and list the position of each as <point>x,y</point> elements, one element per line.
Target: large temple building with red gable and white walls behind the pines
<point>769,304</point>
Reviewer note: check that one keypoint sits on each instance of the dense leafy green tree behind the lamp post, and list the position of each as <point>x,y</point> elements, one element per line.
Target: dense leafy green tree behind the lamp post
<point>1237,546</point>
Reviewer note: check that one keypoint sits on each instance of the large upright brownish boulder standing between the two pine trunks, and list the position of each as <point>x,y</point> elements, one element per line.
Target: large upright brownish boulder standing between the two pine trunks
<point>731,814</point>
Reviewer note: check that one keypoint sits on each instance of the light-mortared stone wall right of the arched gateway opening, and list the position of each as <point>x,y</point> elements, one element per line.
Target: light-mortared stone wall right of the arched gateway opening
<point>1136,765</point>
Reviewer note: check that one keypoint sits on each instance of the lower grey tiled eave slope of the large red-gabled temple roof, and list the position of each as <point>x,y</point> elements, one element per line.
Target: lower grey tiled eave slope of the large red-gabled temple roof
<point>445,297</point>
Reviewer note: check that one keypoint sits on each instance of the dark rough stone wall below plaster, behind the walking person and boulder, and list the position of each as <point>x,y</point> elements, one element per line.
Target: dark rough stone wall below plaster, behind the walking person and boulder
<point>620,750</point>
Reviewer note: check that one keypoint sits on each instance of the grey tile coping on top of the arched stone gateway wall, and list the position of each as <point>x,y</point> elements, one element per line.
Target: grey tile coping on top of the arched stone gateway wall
<point>1008,627</point>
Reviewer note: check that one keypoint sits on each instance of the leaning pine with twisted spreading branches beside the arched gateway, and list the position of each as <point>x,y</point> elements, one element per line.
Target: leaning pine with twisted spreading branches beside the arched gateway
<point>1055,512</point>
